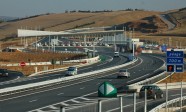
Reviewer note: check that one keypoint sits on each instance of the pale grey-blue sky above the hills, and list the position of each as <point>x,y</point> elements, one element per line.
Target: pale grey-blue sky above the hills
<point>23,8</point>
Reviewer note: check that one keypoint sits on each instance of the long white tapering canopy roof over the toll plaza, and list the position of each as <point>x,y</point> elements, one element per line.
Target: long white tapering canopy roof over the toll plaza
<point>32,33</point>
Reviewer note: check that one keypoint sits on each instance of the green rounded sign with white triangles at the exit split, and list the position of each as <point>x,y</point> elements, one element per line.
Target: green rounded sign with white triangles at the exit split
<point>107,90</point>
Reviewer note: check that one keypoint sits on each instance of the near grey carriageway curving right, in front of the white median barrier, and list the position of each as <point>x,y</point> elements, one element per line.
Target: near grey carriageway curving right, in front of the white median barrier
<point>81,89</point>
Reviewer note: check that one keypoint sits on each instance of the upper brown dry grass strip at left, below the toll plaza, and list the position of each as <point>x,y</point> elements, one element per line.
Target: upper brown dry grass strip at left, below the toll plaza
<point>16,57</point>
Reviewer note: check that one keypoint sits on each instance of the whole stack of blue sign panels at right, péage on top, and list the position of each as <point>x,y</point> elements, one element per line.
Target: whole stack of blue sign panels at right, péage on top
<point>175,61</point>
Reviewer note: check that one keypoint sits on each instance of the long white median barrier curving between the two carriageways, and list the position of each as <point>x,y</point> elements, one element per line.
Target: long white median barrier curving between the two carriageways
<point>33,86</point>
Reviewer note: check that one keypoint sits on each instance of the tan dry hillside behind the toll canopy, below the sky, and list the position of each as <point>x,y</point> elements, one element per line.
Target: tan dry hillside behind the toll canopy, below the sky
<point>65,21</point>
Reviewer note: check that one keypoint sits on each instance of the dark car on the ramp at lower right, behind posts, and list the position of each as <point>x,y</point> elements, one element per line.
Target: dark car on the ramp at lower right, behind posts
<point>153,91</point>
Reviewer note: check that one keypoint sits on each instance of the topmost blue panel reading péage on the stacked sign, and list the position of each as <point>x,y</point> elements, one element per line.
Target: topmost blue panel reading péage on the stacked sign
<point>175,54</point>
